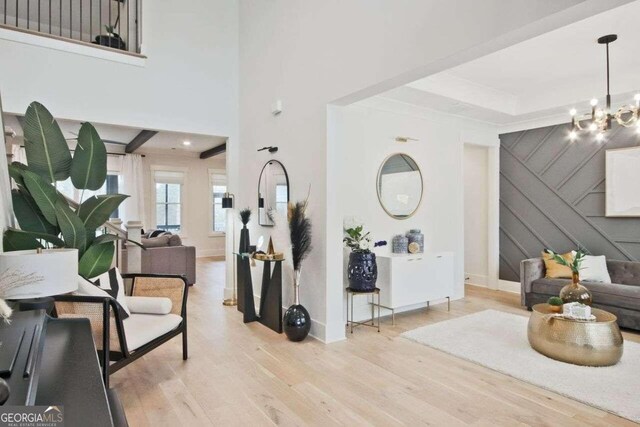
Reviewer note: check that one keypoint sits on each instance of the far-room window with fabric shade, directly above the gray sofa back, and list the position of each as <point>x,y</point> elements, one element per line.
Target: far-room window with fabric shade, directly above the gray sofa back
<point>168,187</point>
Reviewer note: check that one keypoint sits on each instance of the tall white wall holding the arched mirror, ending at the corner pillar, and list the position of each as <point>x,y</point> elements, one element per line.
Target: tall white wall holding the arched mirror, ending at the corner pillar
<point>310,54</point>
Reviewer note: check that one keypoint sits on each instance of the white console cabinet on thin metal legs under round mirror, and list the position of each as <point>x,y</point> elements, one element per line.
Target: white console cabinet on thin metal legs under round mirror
<point>406,280</point>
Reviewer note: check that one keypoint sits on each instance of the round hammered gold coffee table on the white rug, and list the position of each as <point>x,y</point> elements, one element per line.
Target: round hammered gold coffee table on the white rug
<point>597,343</point>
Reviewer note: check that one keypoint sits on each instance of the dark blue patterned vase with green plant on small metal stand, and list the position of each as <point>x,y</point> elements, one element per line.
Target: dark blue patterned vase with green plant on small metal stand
<point>362,269</point>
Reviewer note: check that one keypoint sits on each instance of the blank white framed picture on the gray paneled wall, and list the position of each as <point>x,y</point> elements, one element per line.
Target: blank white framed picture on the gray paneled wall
<point>623,182</point>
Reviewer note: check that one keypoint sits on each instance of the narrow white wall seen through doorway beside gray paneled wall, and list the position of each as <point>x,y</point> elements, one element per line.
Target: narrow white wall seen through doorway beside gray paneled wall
<point>476,213</point>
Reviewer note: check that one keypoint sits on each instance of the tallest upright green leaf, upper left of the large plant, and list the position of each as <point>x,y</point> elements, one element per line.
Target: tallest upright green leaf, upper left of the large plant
<point>47,151</point>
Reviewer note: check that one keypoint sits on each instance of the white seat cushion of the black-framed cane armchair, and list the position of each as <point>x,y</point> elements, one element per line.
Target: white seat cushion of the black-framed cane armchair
<point>141,329</point>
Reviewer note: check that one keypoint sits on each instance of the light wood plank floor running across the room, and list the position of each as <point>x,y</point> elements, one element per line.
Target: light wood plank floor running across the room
<point>247,375</point>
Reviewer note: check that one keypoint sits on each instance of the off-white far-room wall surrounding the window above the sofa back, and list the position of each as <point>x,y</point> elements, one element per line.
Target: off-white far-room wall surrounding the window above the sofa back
<point>196,212</point>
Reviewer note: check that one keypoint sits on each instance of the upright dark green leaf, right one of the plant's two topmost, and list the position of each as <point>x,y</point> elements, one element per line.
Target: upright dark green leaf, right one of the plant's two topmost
<point>89,164</point>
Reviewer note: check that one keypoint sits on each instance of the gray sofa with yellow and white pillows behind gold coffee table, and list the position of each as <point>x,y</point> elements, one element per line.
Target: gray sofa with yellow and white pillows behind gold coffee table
<point>622,297</point>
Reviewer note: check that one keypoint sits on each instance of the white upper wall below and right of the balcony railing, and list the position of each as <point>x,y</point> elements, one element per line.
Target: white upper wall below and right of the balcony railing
<point>188,82</point>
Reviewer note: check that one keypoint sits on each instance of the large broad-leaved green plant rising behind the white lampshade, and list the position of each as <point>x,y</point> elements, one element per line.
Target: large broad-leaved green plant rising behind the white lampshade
<point>47,219</point>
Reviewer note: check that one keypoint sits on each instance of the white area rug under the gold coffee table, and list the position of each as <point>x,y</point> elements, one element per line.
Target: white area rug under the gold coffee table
<point>498,341</point>
